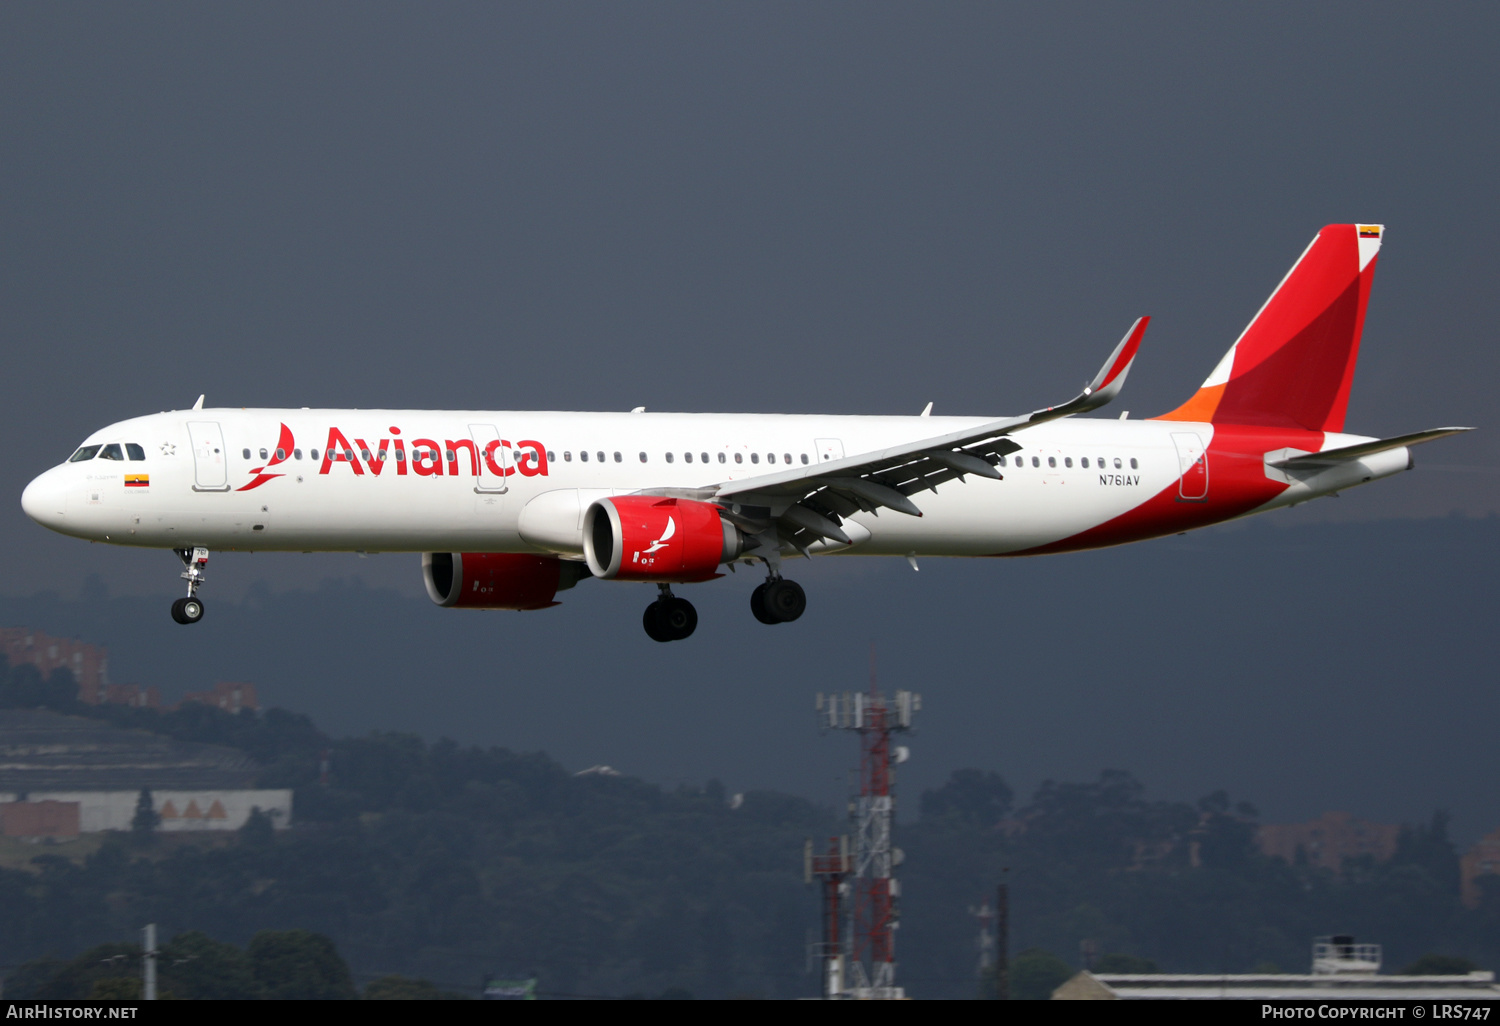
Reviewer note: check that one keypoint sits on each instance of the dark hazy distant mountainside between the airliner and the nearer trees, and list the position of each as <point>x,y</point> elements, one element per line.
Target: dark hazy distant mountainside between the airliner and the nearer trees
<point>1307,668</point>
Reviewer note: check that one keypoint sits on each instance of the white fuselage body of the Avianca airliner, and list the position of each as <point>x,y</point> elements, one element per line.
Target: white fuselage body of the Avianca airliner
<point>212,478</point>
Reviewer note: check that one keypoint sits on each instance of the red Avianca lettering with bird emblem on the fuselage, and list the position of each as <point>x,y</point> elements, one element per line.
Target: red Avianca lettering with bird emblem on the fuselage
<point>427,457</point>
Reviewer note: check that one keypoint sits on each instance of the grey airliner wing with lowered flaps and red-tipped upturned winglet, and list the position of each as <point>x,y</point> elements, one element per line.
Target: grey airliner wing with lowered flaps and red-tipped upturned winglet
<point>808,505</point>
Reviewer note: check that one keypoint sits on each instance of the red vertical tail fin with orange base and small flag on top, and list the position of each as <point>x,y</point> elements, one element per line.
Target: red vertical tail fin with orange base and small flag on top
<point>1294,365</point>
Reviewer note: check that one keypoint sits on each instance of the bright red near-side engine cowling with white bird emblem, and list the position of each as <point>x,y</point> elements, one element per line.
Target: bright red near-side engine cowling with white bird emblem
<point>641,538</point>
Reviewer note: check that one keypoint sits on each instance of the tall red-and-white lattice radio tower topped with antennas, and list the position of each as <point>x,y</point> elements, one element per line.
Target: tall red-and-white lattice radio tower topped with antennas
<point>874,920</point>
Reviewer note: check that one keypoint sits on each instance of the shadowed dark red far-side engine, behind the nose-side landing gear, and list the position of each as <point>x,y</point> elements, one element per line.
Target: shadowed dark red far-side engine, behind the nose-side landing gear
<point>497,580</point>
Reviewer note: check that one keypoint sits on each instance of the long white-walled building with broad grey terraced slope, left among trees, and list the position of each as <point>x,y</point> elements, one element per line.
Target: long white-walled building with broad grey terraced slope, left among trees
<point>100,772</point>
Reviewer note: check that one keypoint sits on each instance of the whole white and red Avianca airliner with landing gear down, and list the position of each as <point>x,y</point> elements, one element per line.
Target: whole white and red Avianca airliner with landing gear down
<point>511,509</point>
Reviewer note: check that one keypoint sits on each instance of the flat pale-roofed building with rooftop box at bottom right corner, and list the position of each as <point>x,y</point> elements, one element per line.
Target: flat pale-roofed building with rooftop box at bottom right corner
<point>1342,971</point>
